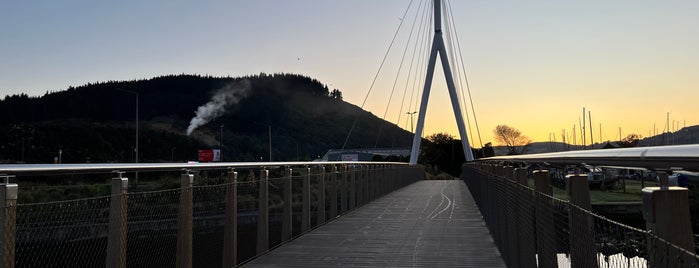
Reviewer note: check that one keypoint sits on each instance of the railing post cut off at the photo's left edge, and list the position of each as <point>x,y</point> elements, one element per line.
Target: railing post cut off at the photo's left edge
<point>8,222</point>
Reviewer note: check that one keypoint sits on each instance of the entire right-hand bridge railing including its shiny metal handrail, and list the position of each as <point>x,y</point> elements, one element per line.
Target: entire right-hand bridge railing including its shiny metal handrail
<point>533,228</point>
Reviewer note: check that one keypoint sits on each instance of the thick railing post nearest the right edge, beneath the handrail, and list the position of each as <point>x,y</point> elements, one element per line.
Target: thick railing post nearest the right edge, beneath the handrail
<point>666,211</point>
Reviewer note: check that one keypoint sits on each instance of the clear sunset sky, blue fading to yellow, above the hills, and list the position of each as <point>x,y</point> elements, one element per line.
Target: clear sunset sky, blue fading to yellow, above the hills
<point>532,65</point>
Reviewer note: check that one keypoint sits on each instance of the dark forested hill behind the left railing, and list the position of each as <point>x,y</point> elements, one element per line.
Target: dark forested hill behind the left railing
<point>96,122</point>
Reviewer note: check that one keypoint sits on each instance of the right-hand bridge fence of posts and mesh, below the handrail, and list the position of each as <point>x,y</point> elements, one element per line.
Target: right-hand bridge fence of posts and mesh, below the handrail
<point>532,228</point>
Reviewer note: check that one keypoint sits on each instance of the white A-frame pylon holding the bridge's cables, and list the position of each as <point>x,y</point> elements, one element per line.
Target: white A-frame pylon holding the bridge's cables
<point>439,48</point>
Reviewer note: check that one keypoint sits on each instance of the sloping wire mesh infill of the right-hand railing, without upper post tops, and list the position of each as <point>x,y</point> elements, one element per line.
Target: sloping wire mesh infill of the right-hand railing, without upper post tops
<point>561,234</point>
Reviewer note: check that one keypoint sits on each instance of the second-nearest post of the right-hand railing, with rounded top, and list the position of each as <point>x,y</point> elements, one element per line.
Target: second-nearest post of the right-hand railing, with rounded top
<point>582,237</point>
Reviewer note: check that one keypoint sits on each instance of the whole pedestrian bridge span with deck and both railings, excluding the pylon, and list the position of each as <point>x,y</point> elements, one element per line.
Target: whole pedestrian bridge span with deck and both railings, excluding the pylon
<point>318,214</point>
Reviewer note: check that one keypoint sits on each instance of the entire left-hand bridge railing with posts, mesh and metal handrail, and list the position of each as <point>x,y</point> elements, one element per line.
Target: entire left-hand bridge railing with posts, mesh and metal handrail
<point>215,214</point>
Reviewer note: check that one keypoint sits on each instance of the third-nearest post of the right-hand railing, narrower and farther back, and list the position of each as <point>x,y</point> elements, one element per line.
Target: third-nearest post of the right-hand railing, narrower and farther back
<point>545,236</point>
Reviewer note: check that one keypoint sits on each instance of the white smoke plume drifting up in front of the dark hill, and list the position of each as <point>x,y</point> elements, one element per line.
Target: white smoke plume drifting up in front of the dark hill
<point>224,97</point>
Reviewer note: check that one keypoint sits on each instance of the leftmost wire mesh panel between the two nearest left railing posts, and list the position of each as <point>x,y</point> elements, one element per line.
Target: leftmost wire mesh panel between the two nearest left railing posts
<point>62,234</point>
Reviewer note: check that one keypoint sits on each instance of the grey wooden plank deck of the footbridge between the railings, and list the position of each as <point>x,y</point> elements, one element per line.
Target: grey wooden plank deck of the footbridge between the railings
<point>426,224</point>
